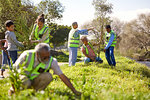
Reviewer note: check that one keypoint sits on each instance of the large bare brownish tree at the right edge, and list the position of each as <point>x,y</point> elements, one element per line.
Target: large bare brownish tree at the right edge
<point>135,36</point>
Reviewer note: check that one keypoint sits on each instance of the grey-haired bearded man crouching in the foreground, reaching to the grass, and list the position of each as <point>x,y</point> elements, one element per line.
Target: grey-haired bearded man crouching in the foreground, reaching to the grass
<point>38,62</point>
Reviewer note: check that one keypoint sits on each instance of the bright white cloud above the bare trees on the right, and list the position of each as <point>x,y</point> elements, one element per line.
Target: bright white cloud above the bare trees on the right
<point>129,15</point>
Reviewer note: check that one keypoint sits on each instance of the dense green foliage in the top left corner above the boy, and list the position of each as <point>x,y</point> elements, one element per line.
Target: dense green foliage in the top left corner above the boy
<point>14,9</point>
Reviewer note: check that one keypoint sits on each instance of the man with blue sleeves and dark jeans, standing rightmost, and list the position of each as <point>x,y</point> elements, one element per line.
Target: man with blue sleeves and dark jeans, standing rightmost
<point>110,42</point>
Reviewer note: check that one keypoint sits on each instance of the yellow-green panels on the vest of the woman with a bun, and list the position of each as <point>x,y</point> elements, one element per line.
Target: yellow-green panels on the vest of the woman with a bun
<point>38,35</point>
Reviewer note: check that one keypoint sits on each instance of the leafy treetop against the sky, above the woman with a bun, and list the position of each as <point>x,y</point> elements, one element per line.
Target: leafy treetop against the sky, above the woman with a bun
<point>52,9</point>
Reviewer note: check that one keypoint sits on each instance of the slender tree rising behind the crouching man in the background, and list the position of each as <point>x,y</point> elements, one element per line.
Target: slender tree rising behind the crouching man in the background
<point>102,9</point>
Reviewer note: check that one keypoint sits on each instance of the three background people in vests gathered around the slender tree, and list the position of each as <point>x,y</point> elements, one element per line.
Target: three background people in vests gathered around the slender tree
<point>87,47</point>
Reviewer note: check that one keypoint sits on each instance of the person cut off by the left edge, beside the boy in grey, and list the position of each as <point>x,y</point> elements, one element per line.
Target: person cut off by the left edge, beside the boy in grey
<point>5,58</point>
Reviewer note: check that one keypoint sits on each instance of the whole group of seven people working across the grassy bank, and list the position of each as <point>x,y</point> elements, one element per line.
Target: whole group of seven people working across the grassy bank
<point>39,61</point>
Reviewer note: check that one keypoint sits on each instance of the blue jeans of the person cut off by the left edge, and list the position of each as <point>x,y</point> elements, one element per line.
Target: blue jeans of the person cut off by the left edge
<point>5,60</point>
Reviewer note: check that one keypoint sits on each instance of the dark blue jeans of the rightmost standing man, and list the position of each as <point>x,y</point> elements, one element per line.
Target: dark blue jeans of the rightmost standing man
<point>110,56</point>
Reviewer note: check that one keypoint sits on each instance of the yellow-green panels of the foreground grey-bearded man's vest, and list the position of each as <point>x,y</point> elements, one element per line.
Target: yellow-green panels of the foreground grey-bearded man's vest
<point>33,73</point>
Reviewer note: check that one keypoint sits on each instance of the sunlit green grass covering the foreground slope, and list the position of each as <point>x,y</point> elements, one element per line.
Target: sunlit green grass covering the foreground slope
<point>127,81</point>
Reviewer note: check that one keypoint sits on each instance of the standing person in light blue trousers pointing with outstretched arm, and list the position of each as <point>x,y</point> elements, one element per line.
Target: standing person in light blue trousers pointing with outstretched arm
<point>73,42</point>
